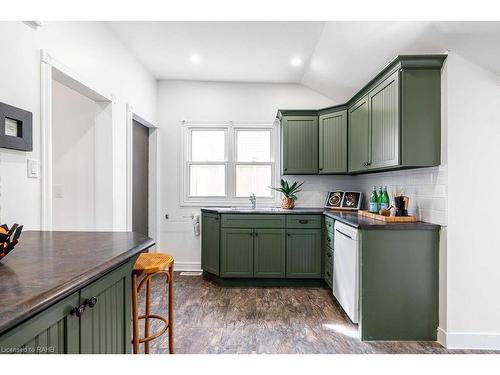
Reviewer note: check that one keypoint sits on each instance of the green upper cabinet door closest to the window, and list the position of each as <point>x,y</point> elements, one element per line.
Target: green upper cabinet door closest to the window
<point>300,144</point>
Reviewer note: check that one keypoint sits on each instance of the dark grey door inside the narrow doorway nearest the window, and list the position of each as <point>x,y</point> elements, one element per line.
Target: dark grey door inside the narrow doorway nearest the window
<point>140,173</point>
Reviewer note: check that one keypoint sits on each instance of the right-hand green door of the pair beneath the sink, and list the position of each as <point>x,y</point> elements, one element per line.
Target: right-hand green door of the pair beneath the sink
<point>269,253</point>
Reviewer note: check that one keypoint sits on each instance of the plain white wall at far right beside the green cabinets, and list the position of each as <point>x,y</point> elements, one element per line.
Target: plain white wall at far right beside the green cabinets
<point>473,180</point>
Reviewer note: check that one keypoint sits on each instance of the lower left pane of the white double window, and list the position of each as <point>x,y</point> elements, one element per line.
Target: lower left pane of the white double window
<point>207,180</point>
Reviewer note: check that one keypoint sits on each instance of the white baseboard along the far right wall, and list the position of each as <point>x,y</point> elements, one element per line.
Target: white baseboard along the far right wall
<point>466,340</point>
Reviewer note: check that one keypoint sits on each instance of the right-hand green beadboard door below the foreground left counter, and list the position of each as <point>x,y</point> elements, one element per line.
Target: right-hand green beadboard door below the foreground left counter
<point>105,327</point>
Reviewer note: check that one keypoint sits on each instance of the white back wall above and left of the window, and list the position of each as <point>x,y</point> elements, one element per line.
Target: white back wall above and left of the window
<point>208,101</point>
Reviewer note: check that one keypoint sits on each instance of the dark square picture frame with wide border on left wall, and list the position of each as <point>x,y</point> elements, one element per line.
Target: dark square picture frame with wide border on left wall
<point>16,128</point>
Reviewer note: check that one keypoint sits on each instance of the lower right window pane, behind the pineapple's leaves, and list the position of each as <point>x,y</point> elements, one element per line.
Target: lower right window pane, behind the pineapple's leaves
<point>253,179</point>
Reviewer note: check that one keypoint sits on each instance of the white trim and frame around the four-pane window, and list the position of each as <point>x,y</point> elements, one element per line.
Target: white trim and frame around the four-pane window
<point>230,163</point>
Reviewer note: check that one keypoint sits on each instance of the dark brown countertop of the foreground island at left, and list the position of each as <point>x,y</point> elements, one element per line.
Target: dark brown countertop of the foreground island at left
<point>45,267</point>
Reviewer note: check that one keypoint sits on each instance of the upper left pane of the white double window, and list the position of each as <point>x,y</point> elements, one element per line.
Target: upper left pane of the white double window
<point>207,145</point>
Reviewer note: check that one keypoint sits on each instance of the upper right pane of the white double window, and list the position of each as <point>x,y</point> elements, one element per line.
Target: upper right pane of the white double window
<point>253,145</point>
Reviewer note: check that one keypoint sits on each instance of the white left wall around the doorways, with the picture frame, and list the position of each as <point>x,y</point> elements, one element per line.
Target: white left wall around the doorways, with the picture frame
<point>92,52</point>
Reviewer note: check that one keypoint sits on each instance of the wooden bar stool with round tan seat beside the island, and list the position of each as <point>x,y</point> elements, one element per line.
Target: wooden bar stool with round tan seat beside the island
<point>147,266</point>
